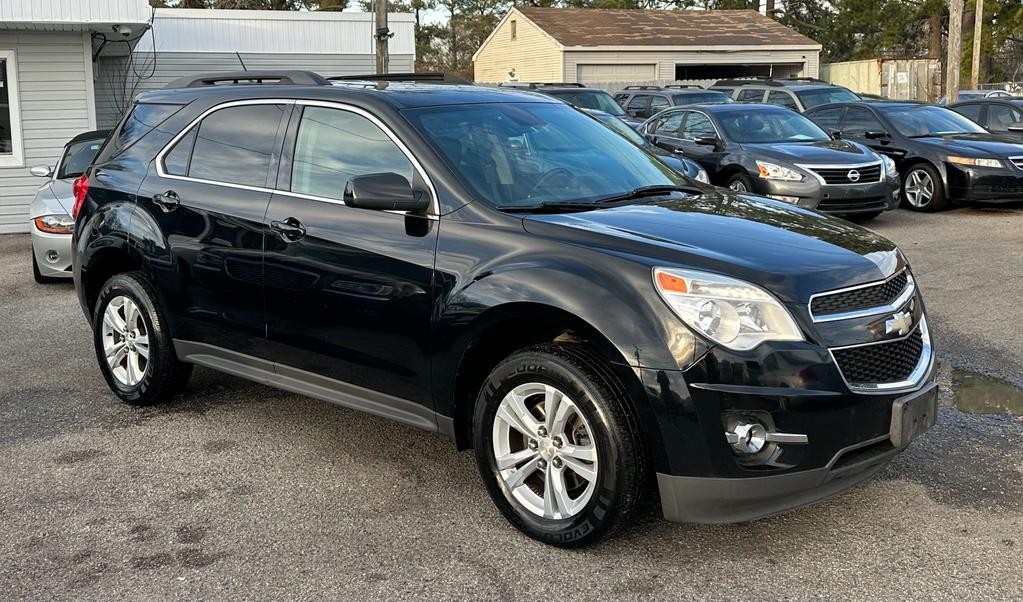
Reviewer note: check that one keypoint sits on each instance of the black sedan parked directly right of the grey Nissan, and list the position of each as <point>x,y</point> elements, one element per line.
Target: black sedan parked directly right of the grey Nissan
<point>943,156</point>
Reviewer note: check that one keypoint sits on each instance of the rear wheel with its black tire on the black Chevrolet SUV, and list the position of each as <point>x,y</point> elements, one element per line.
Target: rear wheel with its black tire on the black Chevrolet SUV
<point>134,346</point>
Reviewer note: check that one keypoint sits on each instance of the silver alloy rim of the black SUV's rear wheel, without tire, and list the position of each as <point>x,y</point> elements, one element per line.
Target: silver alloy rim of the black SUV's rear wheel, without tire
<point>126,341</point>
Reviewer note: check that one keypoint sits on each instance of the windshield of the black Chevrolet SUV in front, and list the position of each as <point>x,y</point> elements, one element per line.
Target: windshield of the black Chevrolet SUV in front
<point>520,155</point>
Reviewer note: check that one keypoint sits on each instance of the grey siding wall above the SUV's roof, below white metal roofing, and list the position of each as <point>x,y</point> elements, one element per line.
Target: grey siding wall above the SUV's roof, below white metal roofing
<point>117,84</point>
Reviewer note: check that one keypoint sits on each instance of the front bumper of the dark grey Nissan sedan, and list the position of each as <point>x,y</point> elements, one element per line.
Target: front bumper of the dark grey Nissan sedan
<point>842,199</point>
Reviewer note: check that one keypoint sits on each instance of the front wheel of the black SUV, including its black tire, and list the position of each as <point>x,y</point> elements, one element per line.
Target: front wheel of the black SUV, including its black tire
<point>558,448</point>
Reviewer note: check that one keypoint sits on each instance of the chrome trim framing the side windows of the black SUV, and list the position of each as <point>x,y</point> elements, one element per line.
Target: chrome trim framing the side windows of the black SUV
<point>162,173</point>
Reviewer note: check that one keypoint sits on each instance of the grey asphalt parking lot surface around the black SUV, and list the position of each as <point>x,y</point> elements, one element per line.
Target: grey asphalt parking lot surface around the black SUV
<point>236,491</point>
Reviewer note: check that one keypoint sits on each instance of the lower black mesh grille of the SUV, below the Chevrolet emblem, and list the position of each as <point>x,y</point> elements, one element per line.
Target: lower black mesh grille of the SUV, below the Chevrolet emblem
<point>882,363</point>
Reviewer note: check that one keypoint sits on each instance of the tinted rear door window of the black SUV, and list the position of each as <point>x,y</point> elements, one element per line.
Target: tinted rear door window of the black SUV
<point>233,146</point>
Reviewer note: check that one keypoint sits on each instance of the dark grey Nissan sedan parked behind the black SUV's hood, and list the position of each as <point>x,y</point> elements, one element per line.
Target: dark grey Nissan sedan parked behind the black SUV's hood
<point>779,153</point>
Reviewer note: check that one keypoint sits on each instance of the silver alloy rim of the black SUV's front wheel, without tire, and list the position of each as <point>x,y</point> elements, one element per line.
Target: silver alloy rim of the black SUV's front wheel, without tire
<point>545,451</point>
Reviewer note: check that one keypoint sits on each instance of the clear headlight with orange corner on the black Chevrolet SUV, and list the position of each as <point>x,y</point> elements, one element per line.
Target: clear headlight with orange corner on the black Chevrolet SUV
<point>732,313</point>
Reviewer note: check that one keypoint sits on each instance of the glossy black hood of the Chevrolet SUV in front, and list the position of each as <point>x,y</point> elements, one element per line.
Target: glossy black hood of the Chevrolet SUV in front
<point>792,252</point>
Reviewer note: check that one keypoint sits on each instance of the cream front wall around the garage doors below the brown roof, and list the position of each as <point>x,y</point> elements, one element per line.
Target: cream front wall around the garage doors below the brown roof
<point>665,61</point>
